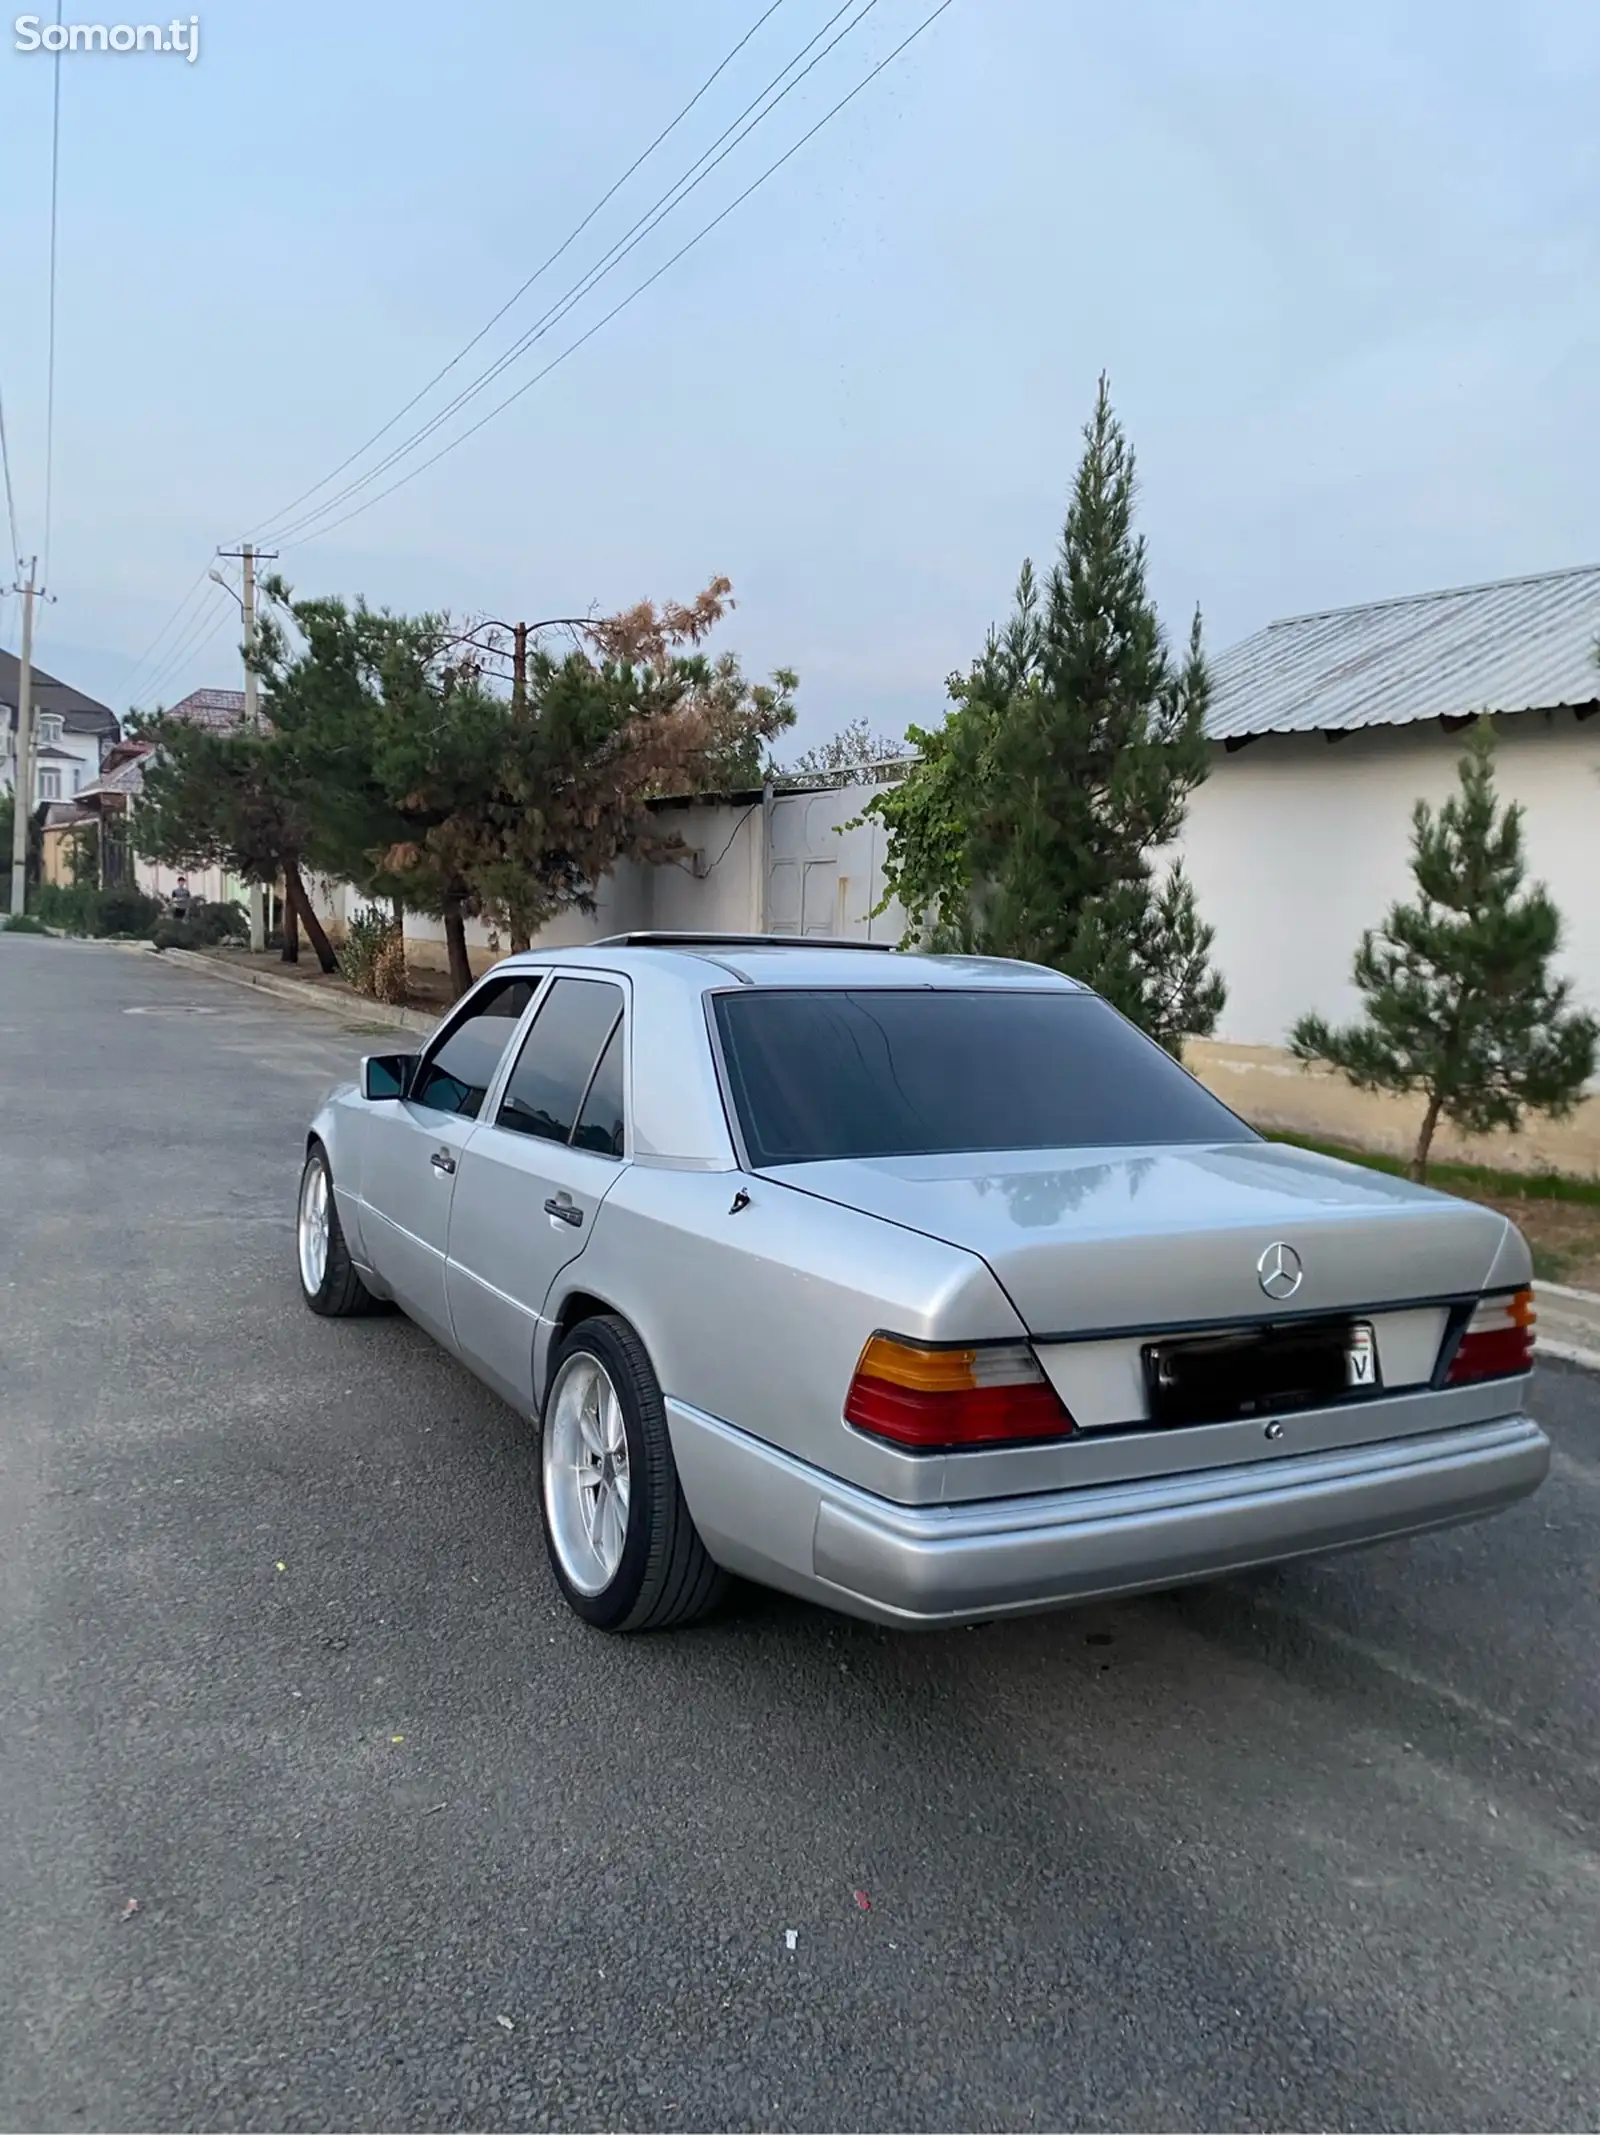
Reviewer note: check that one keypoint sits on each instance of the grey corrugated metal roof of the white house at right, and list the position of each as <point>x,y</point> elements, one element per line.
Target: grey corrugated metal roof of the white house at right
<point>1518,646</point>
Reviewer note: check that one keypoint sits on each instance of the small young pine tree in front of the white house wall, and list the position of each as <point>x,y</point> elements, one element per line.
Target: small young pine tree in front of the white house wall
<point>1460,1000</point>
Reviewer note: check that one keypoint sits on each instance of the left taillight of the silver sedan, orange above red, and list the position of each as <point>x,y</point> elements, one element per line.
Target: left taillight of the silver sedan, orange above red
<point>945,1399</point>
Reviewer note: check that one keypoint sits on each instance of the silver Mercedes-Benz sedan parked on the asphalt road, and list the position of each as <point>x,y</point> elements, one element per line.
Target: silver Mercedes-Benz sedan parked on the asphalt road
<point>920,1286</point>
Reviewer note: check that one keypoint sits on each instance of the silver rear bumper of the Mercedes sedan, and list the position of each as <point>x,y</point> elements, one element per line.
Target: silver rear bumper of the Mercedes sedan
<point>789,1525</point>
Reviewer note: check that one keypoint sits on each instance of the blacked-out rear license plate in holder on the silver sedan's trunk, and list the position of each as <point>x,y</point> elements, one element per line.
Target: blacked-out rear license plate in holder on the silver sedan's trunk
<point>1259,1372</point>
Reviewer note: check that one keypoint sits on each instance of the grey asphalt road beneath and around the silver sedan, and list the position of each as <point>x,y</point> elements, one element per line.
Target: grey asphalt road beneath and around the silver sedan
<point>281,1660</point>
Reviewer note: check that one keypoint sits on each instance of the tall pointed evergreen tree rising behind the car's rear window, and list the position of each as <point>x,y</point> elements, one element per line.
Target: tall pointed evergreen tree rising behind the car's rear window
<point>1039,815</point>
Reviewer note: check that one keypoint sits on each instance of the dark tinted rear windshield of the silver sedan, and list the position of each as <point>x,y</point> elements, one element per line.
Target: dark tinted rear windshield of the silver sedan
<point>870,1073</point>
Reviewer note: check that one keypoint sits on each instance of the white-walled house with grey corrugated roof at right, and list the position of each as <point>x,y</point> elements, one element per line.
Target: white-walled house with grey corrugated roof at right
<point>1326,733</point>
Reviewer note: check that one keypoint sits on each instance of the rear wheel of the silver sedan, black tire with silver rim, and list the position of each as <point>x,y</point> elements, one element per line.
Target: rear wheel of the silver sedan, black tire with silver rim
<point>633,1560</point>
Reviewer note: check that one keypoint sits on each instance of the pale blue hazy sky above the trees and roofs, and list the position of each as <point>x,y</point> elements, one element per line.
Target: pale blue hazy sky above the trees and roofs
<point>1343,268</point>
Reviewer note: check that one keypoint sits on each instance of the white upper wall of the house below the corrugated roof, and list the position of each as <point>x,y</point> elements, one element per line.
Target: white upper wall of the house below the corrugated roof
<point>1298,844</point>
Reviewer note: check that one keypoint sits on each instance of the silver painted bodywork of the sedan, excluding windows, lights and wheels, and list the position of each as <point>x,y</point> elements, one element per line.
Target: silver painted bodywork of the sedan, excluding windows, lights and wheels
<point>757,1291</point>
